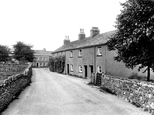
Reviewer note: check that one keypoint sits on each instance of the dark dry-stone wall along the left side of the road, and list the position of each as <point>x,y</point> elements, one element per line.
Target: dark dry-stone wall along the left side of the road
<point>12,87</point>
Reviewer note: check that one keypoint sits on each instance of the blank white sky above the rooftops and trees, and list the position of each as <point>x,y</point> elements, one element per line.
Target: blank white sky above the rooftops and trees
<point>45,23</point>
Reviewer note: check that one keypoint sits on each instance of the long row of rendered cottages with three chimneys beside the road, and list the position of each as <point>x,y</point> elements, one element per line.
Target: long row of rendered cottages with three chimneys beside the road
<point>88,55</point>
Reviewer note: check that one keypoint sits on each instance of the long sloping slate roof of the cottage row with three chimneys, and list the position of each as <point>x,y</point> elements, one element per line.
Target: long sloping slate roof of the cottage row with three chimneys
<point>87,42</point>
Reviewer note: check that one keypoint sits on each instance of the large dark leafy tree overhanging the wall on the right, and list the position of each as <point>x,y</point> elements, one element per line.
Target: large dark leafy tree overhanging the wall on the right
<point>134,39</point>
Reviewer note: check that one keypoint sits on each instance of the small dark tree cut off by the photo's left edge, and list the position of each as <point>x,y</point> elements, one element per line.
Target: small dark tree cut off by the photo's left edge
<point>4,53</point>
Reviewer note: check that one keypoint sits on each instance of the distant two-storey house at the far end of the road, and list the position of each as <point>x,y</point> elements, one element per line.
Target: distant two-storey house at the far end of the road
<point>41,58</point>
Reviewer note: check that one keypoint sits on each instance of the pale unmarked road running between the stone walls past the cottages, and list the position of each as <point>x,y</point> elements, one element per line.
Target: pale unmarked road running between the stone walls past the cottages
<point>56,94</point>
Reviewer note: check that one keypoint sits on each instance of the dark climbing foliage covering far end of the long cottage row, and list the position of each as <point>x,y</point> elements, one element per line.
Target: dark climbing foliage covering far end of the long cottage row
<point>57,64</point>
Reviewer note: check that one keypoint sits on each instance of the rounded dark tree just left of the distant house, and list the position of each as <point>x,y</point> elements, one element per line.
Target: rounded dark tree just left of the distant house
<point>23,52</point>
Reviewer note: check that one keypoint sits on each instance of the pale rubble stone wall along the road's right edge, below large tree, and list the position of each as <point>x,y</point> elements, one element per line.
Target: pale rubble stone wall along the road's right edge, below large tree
<point>139,93</point>
